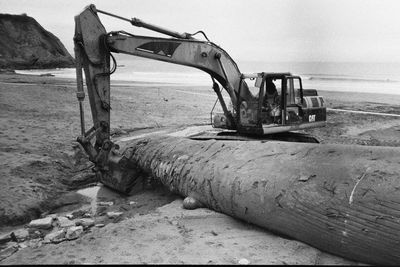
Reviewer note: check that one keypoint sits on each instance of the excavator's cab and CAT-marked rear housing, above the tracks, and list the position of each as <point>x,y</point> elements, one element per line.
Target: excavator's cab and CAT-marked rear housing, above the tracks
<point>280,105</point>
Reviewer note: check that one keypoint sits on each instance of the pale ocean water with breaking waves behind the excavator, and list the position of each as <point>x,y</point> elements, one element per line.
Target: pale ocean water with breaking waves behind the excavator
<point>332,76</point>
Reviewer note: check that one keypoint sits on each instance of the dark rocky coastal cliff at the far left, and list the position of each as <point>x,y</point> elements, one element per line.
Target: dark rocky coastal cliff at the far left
<point>25,44</point>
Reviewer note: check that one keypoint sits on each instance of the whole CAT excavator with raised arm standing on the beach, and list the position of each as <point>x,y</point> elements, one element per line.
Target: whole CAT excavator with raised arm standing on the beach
<point>251,113</point>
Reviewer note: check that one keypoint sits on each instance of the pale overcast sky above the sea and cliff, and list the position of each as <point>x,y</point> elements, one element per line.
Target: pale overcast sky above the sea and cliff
<point>265,30</point>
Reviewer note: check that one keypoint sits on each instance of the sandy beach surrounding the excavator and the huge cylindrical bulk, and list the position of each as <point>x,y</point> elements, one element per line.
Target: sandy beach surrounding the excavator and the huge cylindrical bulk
<point>42,167</point>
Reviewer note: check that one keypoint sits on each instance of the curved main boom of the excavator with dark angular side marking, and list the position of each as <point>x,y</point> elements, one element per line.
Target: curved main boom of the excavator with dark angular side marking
<point>205,56</point>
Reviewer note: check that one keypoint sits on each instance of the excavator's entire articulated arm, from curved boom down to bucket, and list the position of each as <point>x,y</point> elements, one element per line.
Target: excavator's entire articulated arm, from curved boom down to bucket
<point>93,48</point>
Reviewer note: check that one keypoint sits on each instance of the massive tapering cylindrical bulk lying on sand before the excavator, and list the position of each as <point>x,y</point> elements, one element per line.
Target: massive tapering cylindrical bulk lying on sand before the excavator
<point>341,199</point>
